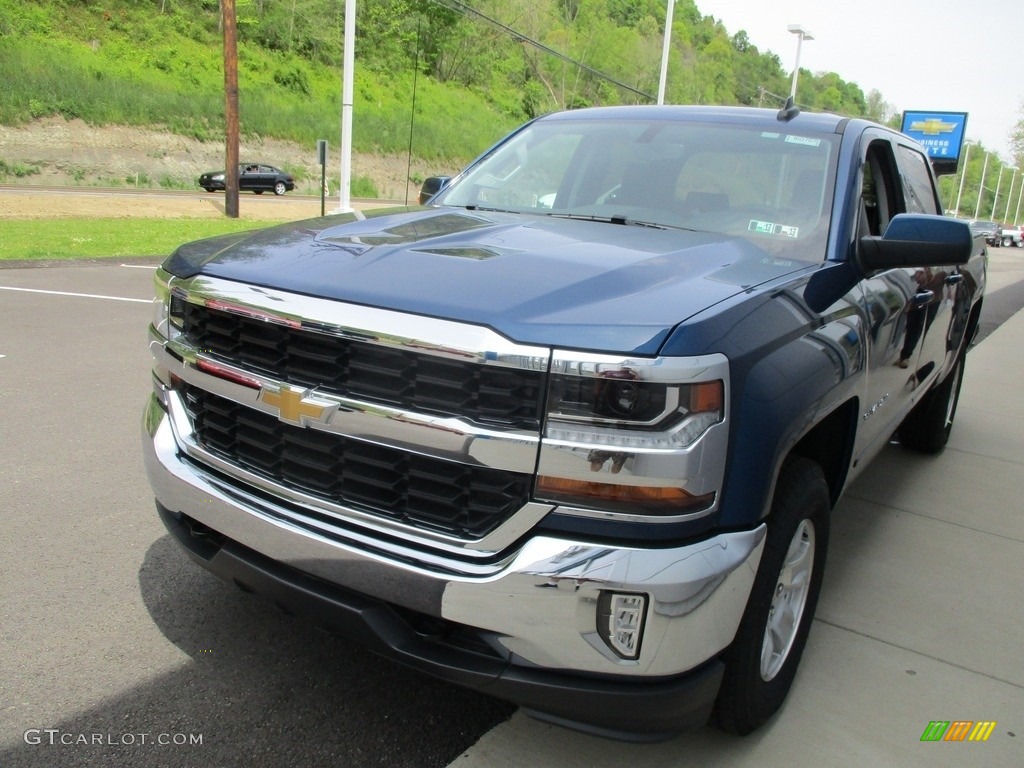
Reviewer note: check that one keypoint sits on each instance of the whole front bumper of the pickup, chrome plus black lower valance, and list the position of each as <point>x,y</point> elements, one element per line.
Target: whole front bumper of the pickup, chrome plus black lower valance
<point>522,627</point>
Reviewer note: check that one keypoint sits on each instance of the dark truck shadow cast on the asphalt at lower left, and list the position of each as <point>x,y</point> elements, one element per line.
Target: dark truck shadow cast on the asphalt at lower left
<point>261,689</point>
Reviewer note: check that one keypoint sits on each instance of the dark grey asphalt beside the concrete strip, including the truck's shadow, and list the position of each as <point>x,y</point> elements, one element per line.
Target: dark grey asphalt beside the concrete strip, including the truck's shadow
<point>112,642</point>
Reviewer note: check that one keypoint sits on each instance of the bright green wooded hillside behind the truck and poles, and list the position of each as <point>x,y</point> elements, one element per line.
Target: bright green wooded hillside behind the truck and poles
<point>160,64</point>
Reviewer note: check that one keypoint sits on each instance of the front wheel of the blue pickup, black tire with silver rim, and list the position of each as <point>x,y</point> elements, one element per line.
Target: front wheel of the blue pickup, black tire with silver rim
<point>762,662</point>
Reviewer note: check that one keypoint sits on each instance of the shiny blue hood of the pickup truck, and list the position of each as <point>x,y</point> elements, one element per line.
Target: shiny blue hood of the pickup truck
<point>537,280</point>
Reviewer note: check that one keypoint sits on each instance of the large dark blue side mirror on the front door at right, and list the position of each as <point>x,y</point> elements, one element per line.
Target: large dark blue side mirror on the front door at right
<point>917,240</point>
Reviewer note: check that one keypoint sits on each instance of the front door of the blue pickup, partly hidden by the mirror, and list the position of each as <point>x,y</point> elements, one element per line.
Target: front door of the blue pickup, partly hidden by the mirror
<point>893,305</point>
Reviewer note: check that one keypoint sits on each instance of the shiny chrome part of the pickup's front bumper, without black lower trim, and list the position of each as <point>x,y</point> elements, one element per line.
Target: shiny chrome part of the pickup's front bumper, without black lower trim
<point>536,607</point>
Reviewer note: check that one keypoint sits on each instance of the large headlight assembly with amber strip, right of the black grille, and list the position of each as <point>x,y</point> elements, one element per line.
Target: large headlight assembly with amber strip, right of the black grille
<point>641,438</point>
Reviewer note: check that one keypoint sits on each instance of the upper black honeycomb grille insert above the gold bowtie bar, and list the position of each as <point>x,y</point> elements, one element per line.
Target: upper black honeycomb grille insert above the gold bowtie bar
<point>369,372</point>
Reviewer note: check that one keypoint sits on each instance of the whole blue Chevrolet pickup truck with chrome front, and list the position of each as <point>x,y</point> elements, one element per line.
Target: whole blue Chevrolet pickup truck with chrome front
<point>572,434</point>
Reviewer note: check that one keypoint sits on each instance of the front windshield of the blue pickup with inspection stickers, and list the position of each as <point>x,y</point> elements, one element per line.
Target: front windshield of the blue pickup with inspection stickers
<point>773,188</point>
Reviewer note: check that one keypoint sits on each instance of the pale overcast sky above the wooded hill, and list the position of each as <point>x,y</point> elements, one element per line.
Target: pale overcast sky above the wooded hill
<point>944,56</point>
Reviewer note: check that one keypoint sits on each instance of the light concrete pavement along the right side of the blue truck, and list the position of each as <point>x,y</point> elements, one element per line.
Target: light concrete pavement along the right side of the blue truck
<point>921,618</point>
